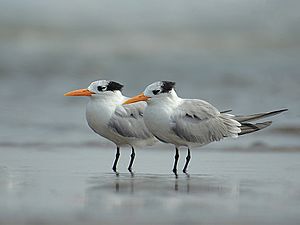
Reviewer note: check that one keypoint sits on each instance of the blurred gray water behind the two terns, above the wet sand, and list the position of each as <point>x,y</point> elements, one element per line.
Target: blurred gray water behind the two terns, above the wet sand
<point>240,55</point>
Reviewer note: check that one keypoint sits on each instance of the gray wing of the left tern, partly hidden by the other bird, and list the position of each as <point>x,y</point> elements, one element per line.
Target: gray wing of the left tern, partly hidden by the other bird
<point>127,121</point>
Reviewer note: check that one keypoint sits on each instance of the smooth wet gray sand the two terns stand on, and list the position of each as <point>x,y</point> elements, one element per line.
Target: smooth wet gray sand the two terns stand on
<point>67,186</point>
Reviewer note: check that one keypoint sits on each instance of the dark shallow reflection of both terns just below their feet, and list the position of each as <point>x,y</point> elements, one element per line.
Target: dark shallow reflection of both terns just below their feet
<point>126,184</point>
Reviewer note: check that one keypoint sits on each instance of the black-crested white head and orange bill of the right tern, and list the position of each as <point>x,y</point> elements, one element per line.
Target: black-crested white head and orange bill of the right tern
<point>155,91</point>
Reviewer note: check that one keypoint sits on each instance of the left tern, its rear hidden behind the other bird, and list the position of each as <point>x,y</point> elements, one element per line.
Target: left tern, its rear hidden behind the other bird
<point>121,124</point>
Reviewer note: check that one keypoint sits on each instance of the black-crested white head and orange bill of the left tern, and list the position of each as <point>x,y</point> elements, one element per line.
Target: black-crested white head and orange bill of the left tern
<point>98,88</point>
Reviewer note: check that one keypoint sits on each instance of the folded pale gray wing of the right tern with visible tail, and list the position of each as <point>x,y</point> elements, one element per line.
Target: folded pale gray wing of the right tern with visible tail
<point>198,121</point>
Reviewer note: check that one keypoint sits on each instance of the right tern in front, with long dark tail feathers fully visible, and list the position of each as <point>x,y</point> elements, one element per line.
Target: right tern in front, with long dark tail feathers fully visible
<point>191,122</point>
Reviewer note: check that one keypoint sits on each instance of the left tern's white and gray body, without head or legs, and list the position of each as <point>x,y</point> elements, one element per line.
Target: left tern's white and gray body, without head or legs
<point>121,124</point>
